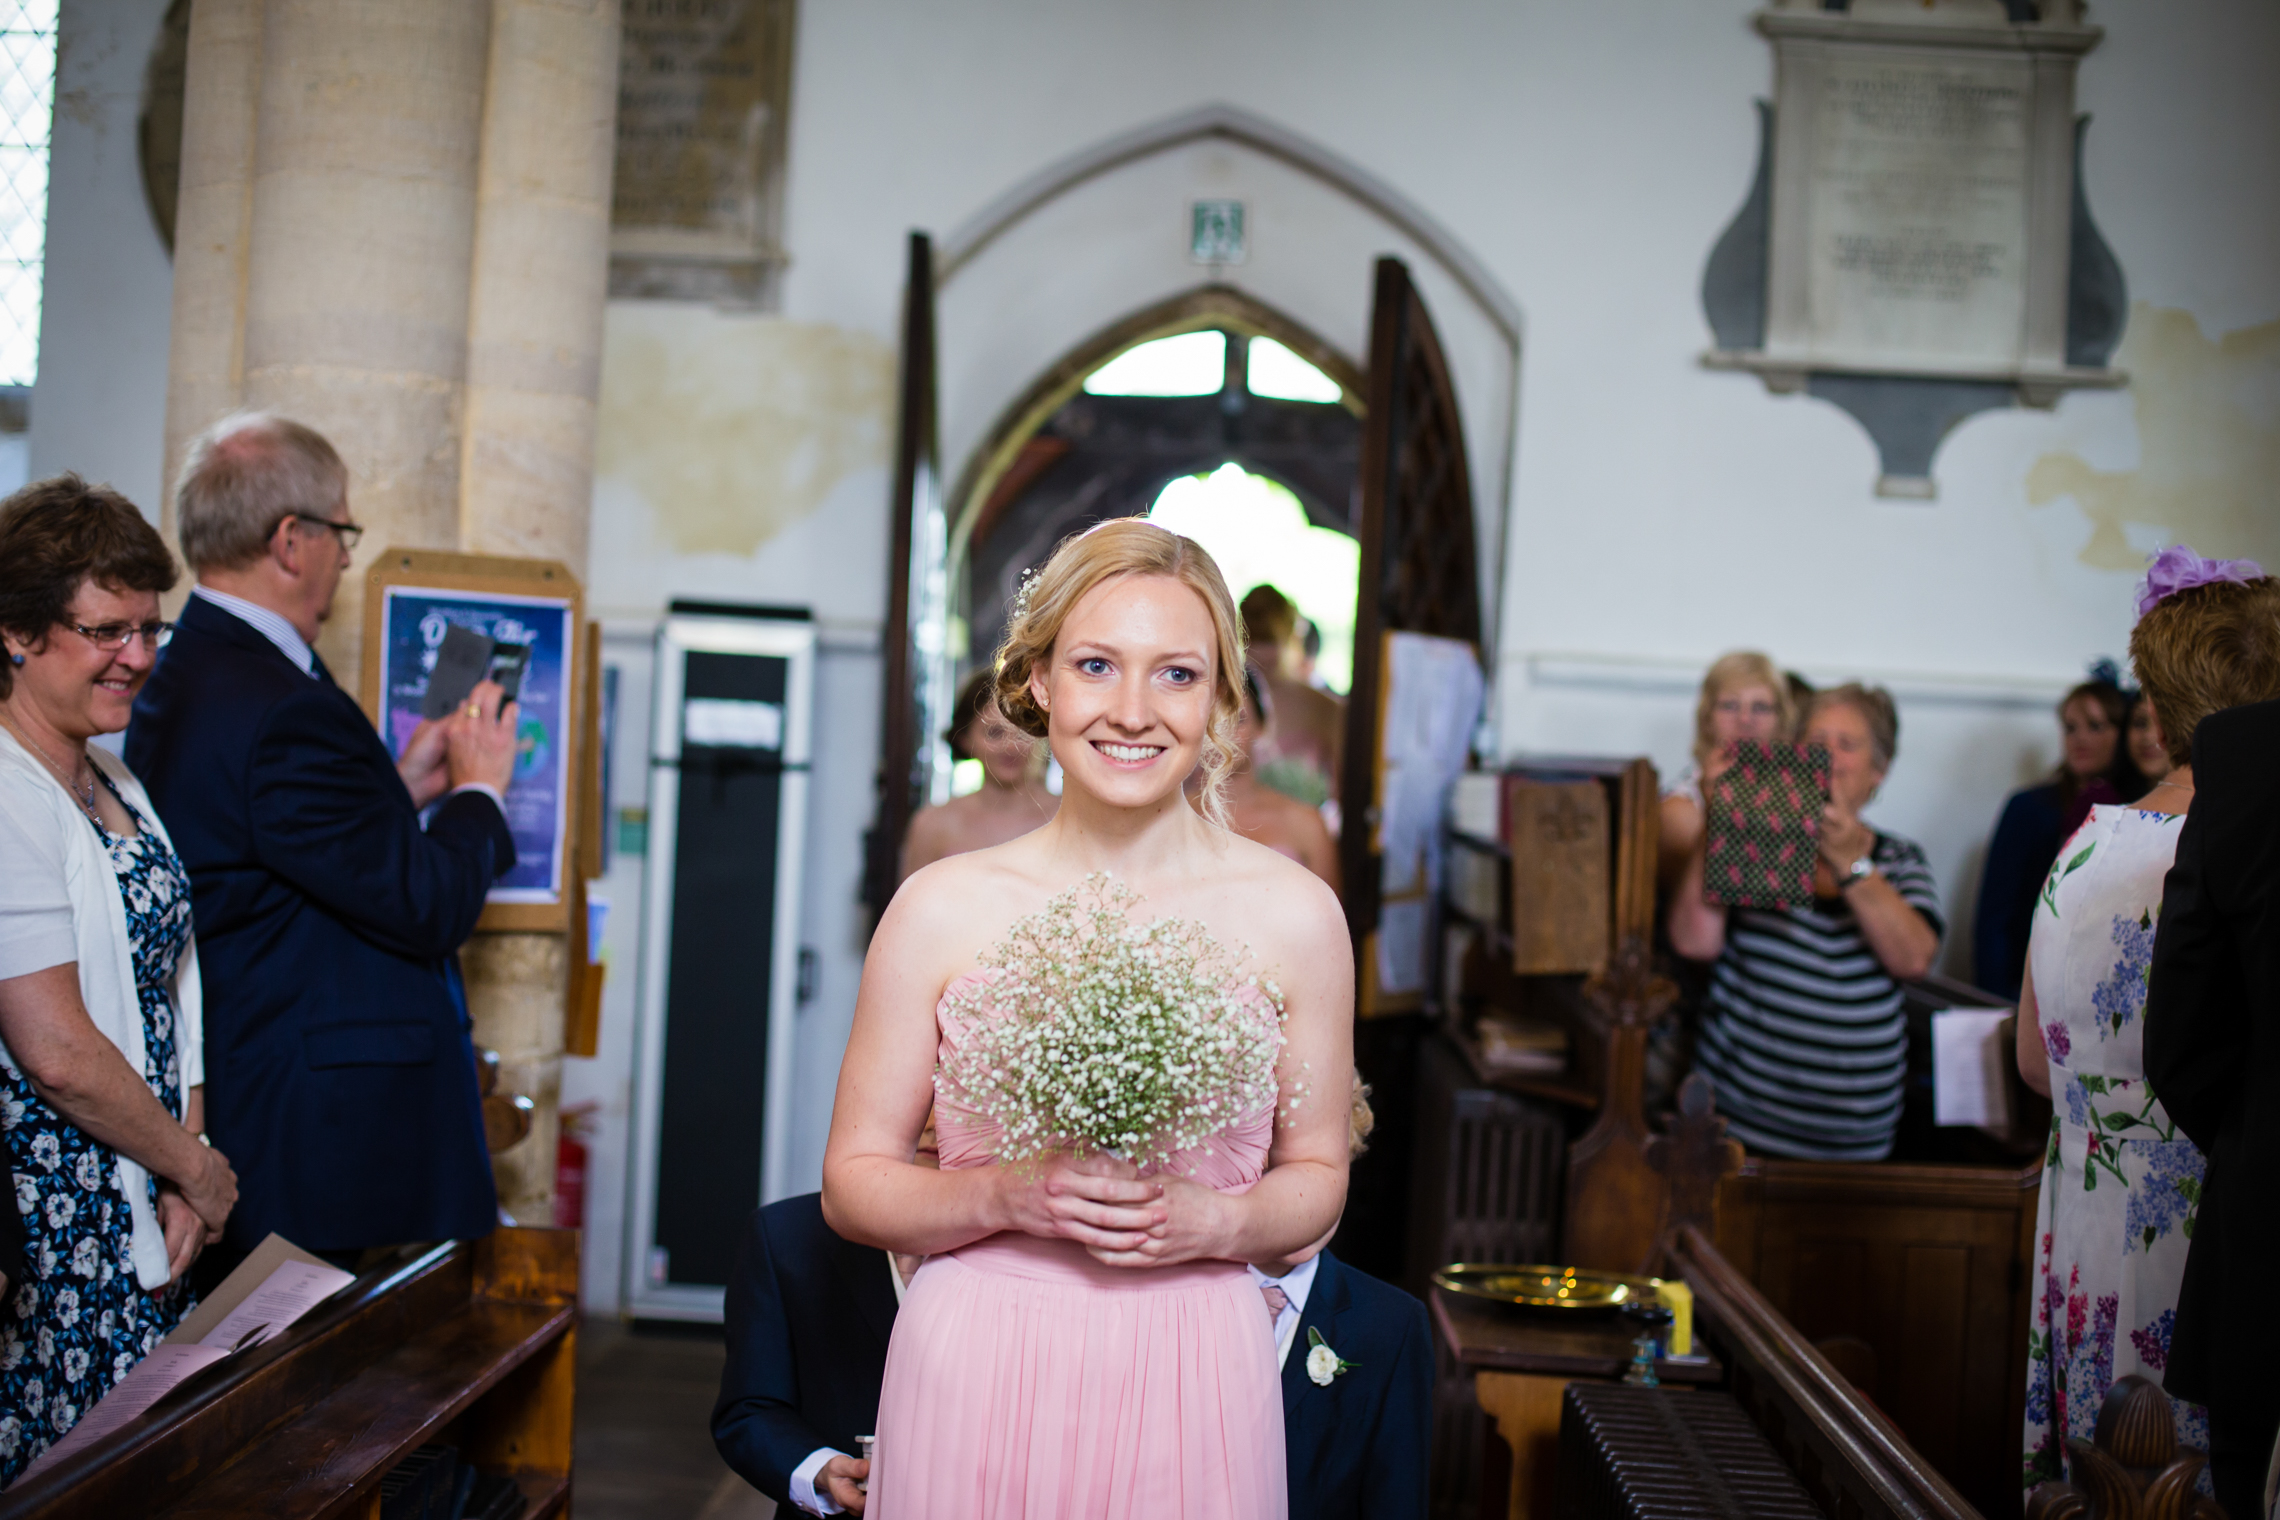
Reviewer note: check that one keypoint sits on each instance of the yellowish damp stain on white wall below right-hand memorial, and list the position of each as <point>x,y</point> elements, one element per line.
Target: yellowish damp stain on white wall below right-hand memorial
<point>2208,418</point>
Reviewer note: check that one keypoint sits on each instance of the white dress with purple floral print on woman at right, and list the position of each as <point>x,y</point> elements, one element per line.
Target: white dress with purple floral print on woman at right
<point>2122,1186</point>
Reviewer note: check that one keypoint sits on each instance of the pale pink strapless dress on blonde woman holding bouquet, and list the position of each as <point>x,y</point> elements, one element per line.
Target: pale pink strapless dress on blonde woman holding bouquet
<point>1029,1382</point>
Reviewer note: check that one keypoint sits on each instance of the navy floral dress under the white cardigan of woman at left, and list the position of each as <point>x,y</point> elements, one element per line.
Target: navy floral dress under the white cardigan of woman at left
<point>81,1321</point>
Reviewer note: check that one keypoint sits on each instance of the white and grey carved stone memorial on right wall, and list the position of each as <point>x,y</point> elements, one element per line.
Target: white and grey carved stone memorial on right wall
<point>1919,220</point>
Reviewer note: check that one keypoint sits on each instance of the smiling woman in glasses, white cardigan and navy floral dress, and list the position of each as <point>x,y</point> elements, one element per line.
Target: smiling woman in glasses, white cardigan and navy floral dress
<point>101,1063</point>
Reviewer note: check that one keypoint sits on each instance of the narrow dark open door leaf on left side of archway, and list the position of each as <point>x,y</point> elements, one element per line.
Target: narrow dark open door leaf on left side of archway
<point>911,641</point>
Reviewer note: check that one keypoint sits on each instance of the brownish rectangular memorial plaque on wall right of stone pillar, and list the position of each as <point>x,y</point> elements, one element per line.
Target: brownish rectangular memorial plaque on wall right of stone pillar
<point>703,90</point>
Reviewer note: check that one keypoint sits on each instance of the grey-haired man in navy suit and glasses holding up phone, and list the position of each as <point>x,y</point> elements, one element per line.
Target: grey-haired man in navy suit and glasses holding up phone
<point>339,1061</point>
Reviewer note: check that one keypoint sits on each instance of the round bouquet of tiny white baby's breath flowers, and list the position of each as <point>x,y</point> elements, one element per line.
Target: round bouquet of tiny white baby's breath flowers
<point>1105,1036</point>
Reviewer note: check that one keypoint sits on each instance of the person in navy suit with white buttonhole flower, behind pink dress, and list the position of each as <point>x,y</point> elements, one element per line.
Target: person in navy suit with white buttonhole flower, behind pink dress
<point>1358,1382</point>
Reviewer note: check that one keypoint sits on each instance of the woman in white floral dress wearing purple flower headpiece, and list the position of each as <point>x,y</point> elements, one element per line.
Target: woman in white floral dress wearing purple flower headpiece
<point>2122,1184</point>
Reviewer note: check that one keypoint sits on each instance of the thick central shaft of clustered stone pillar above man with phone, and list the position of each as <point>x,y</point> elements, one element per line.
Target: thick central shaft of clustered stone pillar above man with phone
<point>359,256</point>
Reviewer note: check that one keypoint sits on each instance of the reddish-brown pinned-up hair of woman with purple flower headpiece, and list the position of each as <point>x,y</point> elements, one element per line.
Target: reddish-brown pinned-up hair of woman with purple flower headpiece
<point>2204,651</point>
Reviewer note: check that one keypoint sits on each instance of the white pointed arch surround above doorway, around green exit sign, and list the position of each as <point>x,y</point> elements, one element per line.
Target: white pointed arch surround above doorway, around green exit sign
<point>1089,256</point>
